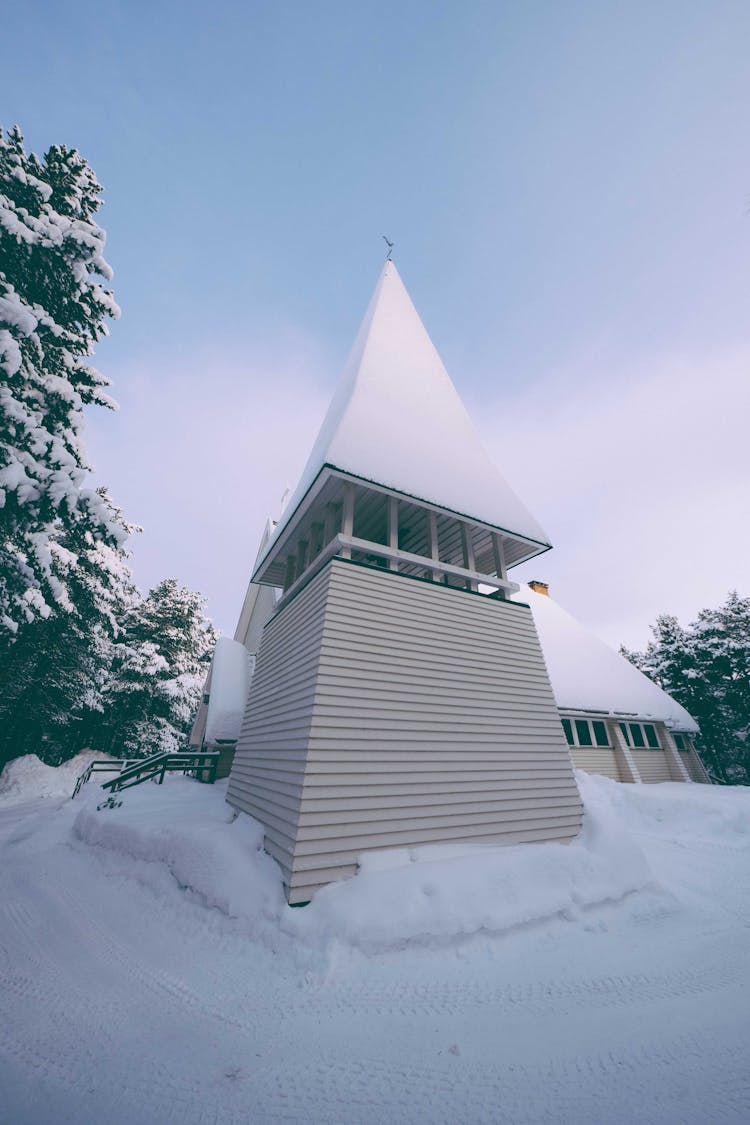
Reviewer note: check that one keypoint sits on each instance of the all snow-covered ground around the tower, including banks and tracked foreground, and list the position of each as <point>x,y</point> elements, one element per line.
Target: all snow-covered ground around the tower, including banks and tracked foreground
<point>150,970</point>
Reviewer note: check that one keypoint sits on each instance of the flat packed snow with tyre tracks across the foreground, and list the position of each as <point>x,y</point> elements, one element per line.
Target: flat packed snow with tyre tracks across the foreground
<point>102,1027</point>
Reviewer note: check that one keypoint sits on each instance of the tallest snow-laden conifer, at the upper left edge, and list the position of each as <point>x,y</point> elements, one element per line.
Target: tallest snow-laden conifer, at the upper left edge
<point>52,312</point>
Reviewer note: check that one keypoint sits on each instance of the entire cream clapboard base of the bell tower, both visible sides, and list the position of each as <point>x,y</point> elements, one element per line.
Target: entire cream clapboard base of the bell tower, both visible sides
<point>388,713</point>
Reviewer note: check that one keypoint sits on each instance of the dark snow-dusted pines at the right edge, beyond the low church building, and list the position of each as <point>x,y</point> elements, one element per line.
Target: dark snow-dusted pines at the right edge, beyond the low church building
<point>707,668</point>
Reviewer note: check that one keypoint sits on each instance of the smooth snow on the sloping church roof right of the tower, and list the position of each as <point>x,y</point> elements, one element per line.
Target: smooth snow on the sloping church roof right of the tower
<point>588,676</point>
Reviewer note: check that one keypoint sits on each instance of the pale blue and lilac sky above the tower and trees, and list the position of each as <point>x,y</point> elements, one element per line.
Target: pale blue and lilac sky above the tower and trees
<point>568,190</point>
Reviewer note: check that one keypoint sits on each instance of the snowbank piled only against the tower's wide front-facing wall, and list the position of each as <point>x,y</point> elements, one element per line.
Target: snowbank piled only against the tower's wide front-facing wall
<point>430,896</point>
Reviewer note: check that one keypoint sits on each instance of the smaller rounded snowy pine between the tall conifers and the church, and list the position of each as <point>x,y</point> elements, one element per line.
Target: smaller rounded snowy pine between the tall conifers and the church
<point>158,672</point>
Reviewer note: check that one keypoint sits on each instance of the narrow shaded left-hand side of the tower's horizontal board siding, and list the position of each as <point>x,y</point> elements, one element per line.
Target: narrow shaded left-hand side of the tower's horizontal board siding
<point>269,764</point>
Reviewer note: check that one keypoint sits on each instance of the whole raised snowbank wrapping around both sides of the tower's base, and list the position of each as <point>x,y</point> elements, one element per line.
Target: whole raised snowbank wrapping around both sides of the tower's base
<point>424,896</point>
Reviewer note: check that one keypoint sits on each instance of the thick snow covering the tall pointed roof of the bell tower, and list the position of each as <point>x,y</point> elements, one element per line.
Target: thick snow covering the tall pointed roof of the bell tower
<point>396,419</point>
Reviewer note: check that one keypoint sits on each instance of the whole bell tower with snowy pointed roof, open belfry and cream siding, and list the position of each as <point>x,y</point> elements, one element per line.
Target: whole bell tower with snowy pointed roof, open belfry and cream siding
<point>400,698</point>
